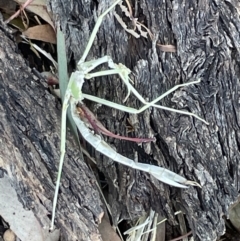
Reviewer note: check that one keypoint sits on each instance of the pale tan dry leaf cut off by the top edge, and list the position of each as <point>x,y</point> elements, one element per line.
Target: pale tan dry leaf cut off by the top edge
<point>39,7</point>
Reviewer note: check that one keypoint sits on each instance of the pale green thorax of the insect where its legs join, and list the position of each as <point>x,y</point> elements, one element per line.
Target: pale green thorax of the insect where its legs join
<point>75,85</point>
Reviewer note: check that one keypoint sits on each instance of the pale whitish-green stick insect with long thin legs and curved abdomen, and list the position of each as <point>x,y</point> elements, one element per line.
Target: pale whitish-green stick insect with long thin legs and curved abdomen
<point>74,96</point>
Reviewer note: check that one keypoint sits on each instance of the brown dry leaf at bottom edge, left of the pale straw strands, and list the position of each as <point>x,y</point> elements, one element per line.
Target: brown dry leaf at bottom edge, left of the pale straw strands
<point>107,232</point>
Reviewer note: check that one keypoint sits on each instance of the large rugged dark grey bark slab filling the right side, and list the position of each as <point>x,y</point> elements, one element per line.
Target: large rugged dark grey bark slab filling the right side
<point>206,34</point>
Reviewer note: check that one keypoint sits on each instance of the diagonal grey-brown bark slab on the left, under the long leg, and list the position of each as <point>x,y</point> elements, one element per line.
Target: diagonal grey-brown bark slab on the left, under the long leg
<point>30,148</point>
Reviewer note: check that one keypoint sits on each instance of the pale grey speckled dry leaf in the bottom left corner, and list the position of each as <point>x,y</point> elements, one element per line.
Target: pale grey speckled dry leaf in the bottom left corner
<point>22,222</point>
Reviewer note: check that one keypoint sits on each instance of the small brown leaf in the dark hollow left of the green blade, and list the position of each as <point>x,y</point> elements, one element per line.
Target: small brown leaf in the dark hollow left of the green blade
<point>43,33</point>
